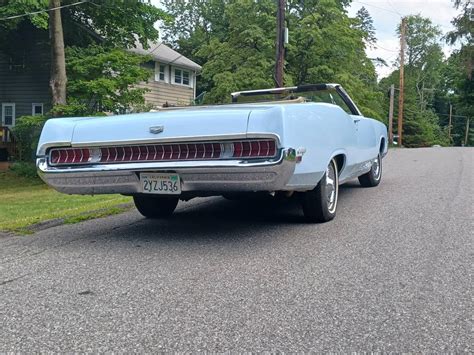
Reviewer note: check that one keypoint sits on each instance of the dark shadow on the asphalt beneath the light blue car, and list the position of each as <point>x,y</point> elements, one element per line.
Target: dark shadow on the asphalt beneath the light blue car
<point>221,219</point>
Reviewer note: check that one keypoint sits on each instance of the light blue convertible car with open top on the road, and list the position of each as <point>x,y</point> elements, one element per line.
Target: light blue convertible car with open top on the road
<point>303,141</point>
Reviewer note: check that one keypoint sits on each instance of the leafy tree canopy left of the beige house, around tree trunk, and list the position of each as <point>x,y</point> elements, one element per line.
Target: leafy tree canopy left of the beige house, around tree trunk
<point>100,73</point>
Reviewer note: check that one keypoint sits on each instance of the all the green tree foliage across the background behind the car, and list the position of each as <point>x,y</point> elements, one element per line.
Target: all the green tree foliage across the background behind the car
<point>234,42</point>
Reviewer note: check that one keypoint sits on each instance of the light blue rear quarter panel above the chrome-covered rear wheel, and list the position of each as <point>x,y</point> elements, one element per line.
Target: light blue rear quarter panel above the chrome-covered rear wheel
<point>320,130</point>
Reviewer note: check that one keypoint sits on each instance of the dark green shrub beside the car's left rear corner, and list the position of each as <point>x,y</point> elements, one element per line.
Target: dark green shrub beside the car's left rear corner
<point>26,133</point>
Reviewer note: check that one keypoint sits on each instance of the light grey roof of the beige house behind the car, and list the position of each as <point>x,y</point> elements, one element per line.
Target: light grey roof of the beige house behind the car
<point>164,54</point>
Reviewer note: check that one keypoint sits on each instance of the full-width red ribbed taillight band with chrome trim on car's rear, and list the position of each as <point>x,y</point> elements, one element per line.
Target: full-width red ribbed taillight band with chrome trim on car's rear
<point>243,149</point>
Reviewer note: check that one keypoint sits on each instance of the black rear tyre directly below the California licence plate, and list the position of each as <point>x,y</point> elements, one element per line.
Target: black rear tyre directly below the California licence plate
<point>155,206</point>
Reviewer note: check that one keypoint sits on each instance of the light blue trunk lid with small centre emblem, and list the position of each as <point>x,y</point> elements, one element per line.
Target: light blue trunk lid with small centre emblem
<point>173,125</point>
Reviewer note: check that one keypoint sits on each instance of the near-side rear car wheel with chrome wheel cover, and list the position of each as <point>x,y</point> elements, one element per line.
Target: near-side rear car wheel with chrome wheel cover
<point>319,204</point>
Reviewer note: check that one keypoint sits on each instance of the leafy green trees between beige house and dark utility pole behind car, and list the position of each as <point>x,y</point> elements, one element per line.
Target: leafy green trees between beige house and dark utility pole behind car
<point>236,51</point>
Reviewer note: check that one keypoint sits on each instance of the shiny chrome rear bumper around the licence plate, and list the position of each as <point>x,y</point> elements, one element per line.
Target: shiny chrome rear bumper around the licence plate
<point>208,176</point>
